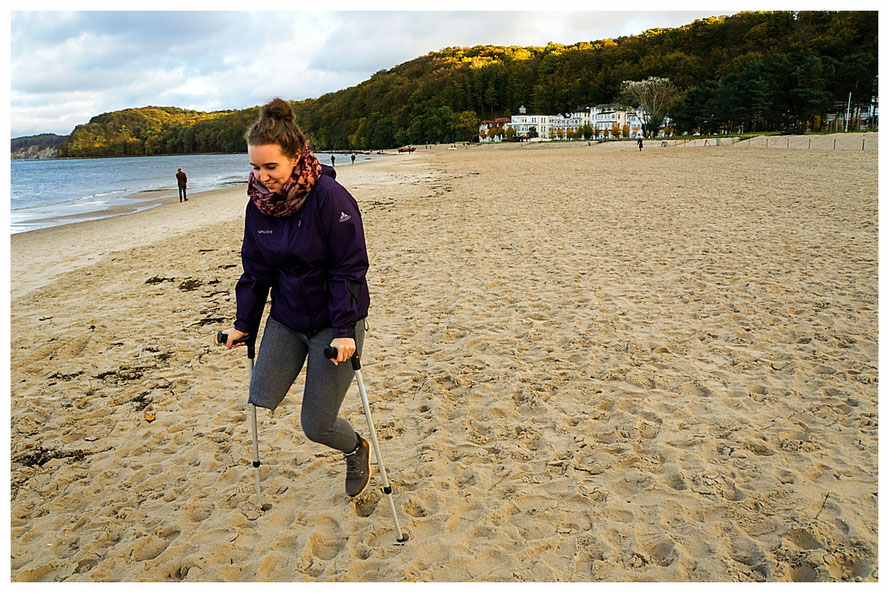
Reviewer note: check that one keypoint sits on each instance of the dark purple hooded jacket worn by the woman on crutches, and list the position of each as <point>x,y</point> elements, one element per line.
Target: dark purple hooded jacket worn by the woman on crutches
<point>314,262</point>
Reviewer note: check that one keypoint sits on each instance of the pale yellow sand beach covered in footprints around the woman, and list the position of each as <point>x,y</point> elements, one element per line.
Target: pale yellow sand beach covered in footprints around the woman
<point>585,363</point>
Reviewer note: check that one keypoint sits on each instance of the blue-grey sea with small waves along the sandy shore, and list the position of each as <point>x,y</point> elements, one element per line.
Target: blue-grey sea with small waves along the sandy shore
<point>45,190</point>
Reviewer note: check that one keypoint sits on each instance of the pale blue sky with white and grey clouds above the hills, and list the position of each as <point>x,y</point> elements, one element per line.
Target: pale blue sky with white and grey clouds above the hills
<point>66,67</point>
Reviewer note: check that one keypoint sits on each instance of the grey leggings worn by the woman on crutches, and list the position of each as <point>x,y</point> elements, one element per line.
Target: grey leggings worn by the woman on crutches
<point>280,359</point>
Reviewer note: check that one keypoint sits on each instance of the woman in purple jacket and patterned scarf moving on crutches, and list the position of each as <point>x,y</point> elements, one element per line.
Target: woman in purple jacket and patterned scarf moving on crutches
<point>304,241</point>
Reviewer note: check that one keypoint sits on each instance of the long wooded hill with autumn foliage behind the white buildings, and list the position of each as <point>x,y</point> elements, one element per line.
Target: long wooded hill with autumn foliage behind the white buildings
<point>756,70</point>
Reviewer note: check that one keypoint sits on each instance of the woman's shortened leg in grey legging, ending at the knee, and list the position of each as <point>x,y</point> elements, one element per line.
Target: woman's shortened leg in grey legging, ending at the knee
<point>280,359</point>
